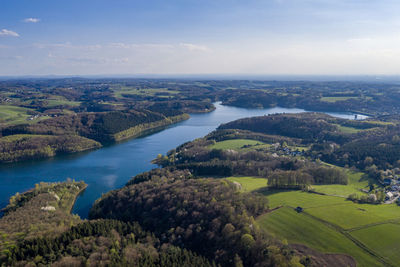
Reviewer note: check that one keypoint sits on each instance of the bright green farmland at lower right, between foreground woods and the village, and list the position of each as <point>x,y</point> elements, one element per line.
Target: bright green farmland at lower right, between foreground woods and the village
<point>332,224</point>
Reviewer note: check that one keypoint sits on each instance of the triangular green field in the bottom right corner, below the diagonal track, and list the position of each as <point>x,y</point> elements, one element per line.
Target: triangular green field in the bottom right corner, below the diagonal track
<point>383,238</point>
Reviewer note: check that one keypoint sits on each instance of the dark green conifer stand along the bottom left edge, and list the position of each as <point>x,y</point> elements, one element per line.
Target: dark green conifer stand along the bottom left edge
<point>101,243</point>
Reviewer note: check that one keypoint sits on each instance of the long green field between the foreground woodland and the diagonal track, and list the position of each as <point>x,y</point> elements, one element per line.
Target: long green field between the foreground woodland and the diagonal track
<point>300,228</point>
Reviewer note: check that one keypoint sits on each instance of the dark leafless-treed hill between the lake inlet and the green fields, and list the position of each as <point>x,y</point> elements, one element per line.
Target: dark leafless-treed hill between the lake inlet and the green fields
<point>207,216</point>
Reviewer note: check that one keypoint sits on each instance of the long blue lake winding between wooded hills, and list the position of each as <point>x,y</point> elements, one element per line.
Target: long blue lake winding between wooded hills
<point>111,167</point>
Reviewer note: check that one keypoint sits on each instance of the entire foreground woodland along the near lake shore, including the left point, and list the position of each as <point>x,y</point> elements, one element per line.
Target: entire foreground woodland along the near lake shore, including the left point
<point>160,218</point>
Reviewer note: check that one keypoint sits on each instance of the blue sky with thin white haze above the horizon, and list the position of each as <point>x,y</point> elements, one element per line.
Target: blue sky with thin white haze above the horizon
<point>170,37</point>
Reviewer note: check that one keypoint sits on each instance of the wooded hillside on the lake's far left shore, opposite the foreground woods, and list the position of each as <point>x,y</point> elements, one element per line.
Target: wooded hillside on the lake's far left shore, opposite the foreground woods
<point>75,133</point>
